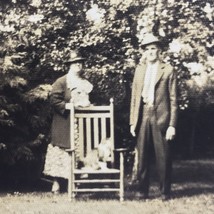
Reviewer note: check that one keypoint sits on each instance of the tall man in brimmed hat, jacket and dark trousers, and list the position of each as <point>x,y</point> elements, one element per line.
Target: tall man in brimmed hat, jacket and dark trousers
<point>153,115</point>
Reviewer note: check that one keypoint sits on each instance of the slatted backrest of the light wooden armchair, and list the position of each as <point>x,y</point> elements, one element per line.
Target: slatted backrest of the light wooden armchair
<point>90,125</point>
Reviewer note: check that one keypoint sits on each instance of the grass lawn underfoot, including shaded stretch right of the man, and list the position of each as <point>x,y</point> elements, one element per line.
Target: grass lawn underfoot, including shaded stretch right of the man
<point>193,192</point>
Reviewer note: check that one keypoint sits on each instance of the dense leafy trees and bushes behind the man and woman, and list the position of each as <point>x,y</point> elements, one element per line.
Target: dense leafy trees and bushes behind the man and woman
<point>37,35</point>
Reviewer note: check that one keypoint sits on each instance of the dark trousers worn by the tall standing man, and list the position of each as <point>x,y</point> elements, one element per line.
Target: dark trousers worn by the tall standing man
<point>150,136</point>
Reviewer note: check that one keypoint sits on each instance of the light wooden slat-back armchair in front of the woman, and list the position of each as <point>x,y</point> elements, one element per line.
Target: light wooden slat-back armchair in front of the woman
<point>93,124</point>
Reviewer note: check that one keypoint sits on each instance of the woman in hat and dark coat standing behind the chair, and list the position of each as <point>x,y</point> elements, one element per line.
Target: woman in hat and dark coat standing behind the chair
<point>70,86</point>
